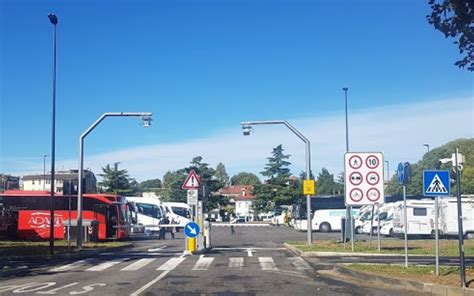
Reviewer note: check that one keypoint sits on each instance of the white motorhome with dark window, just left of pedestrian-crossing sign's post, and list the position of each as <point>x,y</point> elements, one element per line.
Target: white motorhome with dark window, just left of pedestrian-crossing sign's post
<point>420,218</point>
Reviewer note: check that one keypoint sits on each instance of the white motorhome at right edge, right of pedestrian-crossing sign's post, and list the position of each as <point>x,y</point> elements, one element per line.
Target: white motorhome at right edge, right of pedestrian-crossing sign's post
<point>448,216</point>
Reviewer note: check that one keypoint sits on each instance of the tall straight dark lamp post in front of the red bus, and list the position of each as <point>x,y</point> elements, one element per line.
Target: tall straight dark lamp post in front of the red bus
<point>54,21</point>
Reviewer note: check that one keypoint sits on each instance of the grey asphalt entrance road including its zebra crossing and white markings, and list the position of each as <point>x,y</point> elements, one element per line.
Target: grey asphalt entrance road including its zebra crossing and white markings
<point>250,262</point>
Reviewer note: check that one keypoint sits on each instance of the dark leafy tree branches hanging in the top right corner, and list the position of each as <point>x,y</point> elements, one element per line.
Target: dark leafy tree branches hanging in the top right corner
<point>455,19</point>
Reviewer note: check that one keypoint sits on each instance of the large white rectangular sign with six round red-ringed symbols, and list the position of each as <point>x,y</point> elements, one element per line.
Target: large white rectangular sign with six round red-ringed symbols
<point>363,178</point>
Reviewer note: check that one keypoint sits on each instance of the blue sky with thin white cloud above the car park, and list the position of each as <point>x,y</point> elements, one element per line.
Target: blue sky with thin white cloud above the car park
<point>203,66</point>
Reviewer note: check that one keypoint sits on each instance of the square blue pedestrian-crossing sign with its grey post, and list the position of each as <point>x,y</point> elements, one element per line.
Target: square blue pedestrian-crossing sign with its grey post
<point>436,183</point>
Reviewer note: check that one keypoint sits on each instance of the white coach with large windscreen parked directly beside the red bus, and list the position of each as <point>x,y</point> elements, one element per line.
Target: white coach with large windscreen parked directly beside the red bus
<point>148,213</point>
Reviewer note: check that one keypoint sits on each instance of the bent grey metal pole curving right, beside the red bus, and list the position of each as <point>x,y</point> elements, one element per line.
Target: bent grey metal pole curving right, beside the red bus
<point>146,120</point>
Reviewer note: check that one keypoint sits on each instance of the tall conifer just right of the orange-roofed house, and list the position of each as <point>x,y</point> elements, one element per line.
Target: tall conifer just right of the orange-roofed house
<point>277,167</point>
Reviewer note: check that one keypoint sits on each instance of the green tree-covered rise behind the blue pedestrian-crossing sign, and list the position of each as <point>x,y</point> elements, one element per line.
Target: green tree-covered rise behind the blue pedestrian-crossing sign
<point>430,161</point>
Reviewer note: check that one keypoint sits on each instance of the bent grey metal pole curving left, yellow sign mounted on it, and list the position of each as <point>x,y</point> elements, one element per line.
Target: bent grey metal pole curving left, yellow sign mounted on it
<point>247,129</point>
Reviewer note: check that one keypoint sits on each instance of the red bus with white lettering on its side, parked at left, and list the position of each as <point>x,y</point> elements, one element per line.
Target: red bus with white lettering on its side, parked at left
<point>26,215</point>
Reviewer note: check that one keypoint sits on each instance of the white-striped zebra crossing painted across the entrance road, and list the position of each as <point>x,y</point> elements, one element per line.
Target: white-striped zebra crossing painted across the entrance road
<point>201,263</point>
